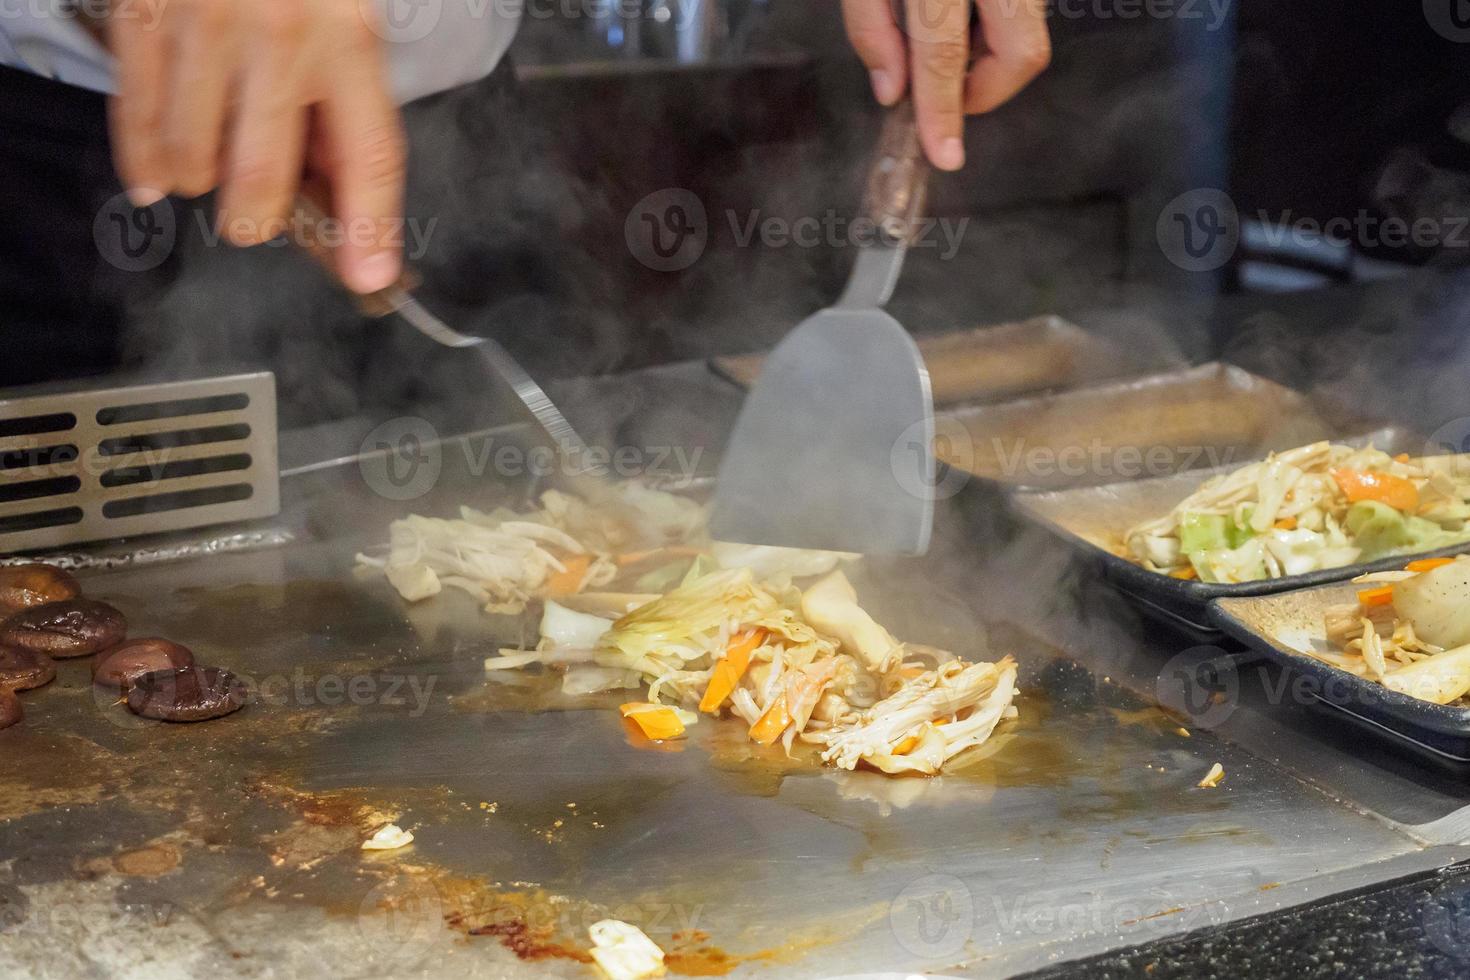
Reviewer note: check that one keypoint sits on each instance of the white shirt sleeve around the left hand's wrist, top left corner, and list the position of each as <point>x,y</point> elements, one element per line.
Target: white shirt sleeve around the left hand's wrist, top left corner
<point>430,45</point>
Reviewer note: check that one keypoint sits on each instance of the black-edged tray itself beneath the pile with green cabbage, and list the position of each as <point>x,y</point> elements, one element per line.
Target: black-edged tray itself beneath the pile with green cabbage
<point>1093,519</point>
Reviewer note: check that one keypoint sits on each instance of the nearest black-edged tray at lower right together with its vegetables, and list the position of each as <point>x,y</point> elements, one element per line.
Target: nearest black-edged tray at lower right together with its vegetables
<point>1369,649</point>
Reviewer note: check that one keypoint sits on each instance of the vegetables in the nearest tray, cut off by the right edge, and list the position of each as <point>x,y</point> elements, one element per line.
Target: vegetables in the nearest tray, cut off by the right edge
<point>1409,631</point>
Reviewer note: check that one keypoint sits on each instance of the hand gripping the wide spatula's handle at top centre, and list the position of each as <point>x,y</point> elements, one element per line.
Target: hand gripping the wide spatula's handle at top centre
<point>931,55</point>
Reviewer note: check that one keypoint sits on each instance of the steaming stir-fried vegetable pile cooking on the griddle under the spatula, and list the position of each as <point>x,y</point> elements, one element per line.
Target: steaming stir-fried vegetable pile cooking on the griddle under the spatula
<point>711,628</point>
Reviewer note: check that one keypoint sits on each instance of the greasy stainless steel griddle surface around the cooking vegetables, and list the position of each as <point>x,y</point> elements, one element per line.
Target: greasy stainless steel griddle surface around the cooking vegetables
<point>232,849</point>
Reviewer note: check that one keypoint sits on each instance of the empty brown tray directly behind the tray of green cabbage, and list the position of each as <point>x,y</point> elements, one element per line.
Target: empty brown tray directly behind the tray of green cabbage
<point>1208,417</point>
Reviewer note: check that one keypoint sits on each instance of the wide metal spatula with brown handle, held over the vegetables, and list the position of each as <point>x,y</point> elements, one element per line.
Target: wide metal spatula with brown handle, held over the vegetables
<point>834,447</point>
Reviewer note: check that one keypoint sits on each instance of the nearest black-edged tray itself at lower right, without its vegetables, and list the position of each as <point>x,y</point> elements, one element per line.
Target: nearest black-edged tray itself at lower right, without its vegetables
<point>1278,625</point>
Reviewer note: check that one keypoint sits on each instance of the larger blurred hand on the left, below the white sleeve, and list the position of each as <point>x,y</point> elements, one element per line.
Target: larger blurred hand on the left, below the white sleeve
<point>248,96</point>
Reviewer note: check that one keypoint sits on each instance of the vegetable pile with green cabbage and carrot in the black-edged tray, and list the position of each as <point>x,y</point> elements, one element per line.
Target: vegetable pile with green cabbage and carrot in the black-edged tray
<point>1316,508</point>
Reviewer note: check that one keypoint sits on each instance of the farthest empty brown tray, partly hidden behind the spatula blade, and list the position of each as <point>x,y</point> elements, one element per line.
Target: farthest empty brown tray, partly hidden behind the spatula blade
<point>993,364</point>
